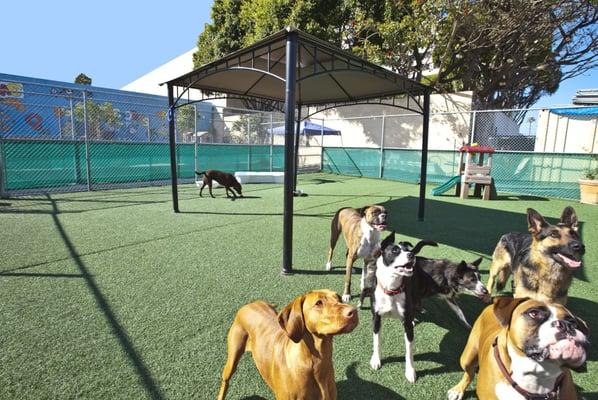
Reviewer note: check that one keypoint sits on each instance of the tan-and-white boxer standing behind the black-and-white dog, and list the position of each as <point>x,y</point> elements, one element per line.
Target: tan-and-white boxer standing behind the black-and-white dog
<point>361,230</point>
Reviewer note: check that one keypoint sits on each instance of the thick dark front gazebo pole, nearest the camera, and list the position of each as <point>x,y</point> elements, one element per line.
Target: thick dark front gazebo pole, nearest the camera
<point>289,154</point>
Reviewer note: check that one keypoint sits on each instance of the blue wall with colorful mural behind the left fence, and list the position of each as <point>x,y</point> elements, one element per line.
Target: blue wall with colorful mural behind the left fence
<point>45,109</point>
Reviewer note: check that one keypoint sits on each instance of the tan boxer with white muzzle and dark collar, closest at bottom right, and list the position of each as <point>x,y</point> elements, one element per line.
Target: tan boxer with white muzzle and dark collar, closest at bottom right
<point>524,349</point>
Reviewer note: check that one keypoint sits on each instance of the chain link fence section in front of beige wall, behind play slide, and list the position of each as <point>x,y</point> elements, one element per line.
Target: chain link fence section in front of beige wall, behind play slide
<point>539,152</point>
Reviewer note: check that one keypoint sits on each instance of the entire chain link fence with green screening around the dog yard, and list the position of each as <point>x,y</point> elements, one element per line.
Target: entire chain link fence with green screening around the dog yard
<point>70,139</point>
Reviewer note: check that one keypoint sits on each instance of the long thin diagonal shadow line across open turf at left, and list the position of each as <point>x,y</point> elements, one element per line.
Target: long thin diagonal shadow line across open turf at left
<point>144,374</point>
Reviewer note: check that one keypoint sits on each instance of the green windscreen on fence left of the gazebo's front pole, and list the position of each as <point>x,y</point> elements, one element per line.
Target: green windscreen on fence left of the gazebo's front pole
<point>34,164</point>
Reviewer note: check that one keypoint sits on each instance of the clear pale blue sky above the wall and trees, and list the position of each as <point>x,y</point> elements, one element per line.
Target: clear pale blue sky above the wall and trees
<point>115,42</point>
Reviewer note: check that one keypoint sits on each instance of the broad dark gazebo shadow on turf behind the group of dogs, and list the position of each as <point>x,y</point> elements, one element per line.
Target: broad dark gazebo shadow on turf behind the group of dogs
<point>460,225</point>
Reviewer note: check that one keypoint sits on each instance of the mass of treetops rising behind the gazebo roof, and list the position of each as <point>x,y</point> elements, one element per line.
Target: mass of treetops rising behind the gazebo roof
<point>508,52</point>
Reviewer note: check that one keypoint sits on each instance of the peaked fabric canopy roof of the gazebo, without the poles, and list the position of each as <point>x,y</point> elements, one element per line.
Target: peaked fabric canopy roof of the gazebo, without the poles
<point>325,75</point>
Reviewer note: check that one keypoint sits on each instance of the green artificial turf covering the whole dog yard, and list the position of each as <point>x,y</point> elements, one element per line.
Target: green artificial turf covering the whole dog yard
<point>110,295</point>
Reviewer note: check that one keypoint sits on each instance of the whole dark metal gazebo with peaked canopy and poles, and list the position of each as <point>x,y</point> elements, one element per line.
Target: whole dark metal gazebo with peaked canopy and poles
<point>294,72</point>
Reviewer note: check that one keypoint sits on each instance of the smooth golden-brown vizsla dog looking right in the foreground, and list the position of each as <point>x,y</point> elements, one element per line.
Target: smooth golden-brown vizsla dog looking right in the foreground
<point>292,350</point>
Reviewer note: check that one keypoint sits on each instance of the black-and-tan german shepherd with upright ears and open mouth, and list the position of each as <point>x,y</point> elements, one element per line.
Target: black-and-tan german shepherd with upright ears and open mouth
<point>543,261</point>
